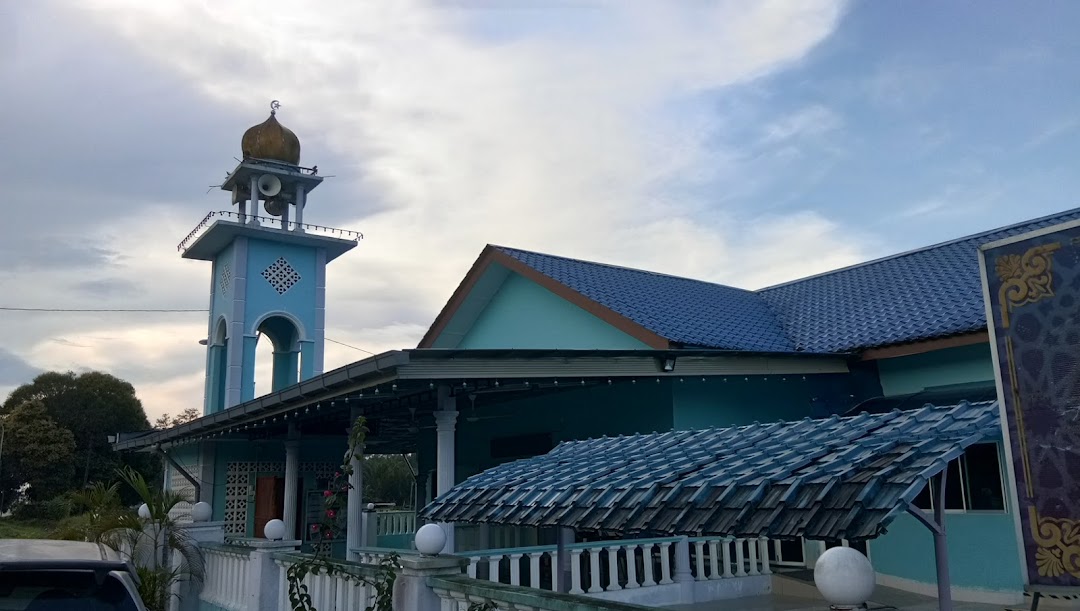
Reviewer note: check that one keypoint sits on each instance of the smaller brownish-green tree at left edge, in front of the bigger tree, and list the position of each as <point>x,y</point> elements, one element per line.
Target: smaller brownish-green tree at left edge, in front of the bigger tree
<point>37,452</point>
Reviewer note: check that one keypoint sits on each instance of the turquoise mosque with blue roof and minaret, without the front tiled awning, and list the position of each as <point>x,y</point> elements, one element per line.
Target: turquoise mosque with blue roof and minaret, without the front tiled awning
<point>534,350</point>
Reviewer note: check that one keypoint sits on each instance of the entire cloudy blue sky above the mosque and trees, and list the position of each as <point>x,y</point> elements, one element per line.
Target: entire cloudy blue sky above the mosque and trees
<point>740,143</point>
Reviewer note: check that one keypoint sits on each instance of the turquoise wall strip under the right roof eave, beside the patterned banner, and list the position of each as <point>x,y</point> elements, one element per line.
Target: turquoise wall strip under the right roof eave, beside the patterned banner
<point>907,375</point>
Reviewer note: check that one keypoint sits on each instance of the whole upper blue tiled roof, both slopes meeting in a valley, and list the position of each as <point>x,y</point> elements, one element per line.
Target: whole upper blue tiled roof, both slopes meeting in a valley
<point>930,293</point>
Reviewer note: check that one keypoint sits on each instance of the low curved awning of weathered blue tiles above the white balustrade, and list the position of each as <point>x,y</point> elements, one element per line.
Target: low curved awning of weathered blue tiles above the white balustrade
<point>832,479</point>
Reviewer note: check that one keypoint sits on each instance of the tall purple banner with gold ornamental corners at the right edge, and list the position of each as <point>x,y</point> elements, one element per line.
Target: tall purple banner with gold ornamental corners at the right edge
<point>1034,288</point>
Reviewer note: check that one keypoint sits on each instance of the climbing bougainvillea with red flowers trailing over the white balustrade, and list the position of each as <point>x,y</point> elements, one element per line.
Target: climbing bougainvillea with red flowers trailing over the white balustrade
<point>335,504</point>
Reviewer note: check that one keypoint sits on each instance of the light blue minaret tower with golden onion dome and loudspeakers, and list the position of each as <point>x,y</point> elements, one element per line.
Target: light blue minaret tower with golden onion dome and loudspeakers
<point>269,275</point>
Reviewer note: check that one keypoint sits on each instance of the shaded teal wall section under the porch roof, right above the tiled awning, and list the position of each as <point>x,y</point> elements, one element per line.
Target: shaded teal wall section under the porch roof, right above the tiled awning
<point>734,401</point>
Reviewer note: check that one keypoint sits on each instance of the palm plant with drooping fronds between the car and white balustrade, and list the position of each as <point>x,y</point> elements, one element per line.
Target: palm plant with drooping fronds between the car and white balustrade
<point>163,553</point>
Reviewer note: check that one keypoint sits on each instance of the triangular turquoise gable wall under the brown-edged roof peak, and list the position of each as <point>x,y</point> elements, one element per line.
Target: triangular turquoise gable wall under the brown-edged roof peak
<point>524,315</point>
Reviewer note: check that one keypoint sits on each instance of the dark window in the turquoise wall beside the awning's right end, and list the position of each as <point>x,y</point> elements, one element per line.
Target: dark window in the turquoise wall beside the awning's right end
<point>975,483</point>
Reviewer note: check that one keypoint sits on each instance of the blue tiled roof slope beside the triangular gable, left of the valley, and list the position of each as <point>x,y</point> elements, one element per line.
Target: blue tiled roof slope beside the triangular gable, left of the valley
<point>685,311</point>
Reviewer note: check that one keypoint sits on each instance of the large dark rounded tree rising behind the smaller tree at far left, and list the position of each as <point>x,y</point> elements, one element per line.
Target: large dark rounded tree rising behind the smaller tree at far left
<point>92,406</point>
